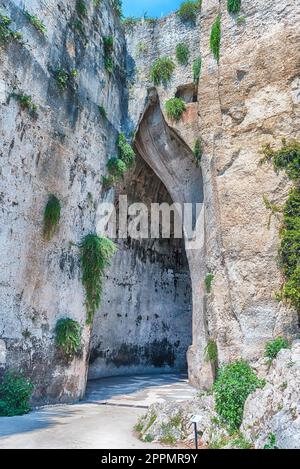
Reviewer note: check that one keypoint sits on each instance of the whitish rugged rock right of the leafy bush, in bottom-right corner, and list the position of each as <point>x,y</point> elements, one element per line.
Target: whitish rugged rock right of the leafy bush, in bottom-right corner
<point>275,409</point>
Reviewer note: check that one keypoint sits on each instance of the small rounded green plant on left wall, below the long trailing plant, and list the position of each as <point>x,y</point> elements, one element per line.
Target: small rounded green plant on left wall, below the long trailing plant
<point>68,337</point>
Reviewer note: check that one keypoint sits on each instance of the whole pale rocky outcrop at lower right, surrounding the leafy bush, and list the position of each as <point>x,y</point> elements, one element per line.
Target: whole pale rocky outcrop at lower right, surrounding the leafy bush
<point>272,410</point>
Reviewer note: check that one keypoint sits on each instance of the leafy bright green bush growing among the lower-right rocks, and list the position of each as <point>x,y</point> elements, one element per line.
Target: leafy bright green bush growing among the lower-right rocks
<point>235,382</point>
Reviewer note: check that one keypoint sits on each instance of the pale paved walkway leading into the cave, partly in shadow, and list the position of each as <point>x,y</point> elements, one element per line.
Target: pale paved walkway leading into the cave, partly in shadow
<point>104,420</point>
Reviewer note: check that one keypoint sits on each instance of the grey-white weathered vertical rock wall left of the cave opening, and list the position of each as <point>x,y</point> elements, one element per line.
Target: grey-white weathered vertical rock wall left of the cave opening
<point>63,151</point>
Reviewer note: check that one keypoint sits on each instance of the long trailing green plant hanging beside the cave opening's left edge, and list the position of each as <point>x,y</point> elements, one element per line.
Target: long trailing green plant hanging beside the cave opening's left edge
<point>96,253</point>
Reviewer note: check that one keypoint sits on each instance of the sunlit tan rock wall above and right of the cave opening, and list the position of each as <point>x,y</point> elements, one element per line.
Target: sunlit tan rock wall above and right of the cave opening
<point>250,98</point>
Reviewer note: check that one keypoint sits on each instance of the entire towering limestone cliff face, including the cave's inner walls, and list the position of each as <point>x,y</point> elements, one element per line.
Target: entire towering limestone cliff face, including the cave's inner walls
<point>155,304</point>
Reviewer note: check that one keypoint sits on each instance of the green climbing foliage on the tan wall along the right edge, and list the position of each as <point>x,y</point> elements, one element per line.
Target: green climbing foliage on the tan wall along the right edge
<point>288,158</point>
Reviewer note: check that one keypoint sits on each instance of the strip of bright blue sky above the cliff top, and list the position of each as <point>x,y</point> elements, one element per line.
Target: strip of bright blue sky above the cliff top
<point>154,8</point>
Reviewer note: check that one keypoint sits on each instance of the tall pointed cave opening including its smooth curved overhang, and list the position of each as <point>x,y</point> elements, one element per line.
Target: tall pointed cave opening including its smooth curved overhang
<point>146,322</point>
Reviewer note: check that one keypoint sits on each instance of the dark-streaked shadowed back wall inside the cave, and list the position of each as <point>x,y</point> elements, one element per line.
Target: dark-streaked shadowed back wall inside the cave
<point>145,324</point>
